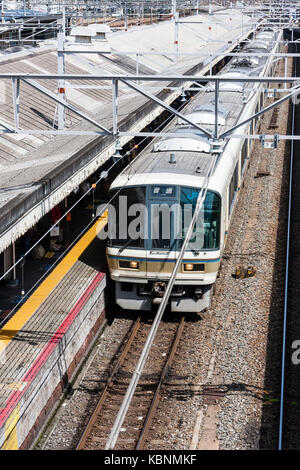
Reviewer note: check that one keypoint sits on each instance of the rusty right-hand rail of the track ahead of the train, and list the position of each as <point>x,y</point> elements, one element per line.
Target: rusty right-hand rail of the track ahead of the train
<point>154,403</point>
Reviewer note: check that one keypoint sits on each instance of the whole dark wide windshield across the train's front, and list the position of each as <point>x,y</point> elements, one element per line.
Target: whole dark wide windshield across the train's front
<point>156,217</point>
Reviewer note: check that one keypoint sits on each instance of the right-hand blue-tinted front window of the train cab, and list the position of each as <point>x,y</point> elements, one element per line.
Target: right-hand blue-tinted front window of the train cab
<point>206,233</point>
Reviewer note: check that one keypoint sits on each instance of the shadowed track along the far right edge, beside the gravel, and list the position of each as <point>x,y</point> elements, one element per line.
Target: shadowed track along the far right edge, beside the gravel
<point>289,431</point>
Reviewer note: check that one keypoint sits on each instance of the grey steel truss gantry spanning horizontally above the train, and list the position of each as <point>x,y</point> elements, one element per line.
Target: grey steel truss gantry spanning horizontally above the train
<point>130,81</point>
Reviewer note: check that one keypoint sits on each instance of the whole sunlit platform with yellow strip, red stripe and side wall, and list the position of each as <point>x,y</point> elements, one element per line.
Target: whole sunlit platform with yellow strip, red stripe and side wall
<point>42,344</point>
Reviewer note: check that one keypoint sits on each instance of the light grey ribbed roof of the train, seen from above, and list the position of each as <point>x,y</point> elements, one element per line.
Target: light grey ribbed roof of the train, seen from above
<point>190,147</point>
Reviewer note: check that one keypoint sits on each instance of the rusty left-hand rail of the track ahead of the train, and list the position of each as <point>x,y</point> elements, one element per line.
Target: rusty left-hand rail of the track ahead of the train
<point>91,422</point>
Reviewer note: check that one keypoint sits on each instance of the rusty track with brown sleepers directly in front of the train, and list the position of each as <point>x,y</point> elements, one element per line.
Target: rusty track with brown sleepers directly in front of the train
<point>145,400</point>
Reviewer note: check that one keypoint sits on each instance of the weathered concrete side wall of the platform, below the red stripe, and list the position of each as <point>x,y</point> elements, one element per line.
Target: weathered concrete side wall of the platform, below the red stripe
<point>31,405</point>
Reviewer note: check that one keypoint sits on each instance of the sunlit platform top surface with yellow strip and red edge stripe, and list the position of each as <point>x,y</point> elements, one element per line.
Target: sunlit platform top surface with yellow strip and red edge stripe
<point>38,327</point>
